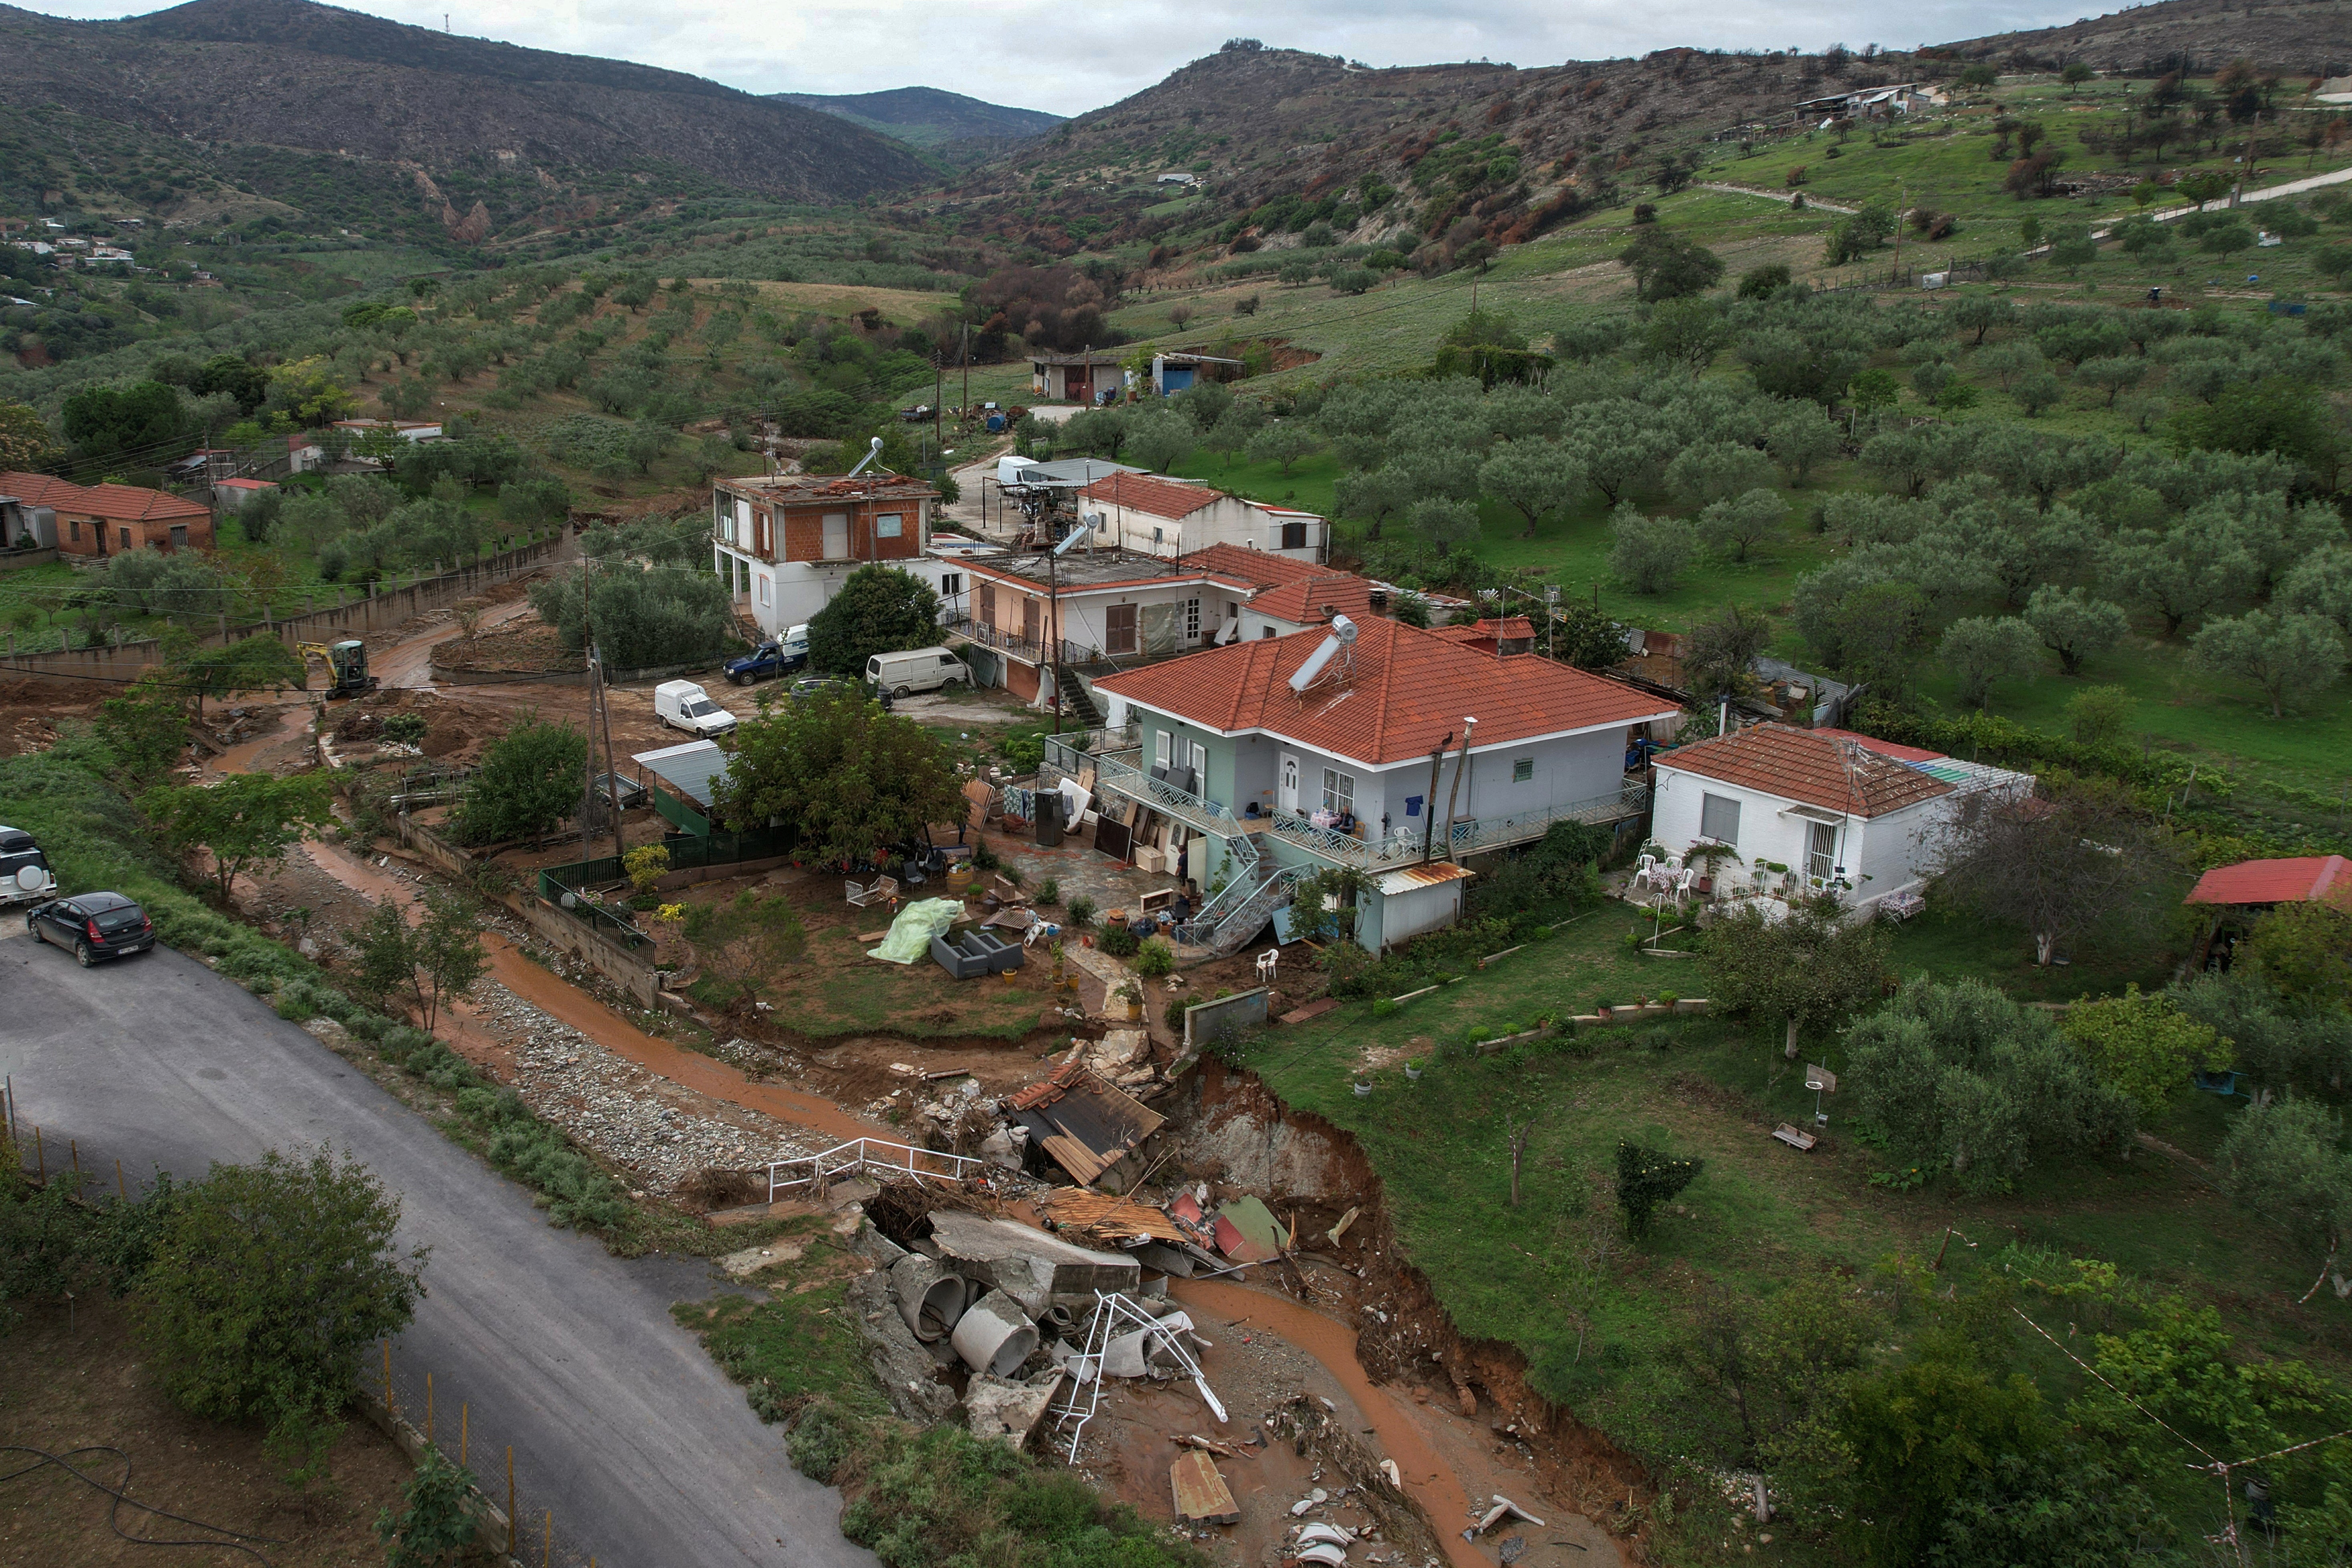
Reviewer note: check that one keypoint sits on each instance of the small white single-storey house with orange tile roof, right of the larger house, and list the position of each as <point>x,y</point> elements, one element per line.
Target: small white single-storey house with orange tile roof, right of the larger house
<point>1817,810</point>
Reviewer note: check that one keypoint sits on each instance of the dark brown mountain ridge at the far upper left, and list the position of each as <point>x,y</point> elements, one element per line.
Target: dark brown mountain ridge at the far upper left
<point>290,74</point>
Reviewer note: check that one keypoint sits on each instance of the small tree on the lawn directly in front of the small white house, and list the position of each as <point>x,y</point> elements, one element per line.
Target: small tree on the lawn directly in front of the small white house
<point>1808,972</point>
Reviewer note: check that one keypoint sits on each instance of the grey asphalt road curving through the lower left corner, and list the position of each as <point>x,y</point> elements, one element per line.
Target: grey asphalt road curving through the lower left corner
<point>620,1421</point>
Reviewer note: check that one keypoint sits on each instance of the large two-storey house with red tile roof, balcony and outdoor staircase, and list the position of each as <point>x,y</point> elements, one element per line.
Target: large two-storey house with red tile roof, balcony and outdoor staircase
<point>1264,760</point>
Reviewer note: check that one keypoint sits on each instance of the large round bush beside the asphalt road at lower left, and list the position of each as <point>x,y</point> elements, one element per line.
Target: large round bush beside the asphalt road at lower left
<point>265,1289</point>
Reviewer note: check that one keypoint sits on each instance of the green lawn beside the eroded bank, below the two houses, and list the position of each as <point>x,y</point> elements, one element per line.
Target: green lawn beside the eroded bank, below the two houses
<point>1598,1320</point>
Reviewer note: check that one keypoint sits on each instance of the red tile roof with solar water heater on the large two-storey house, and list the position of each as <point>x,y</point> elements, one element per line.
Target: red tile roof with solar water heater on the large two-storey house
<point>1408,692</point>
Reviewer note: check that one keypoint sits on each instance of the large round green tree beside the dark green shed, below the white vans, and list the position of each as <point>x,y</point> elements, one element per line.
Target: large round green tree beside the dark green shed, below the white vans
<point>848,777</point>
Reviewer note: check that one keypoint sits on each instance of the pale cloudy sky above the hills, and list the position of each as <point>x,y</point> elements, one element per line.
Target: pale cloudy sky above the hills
<point>1074,58</point>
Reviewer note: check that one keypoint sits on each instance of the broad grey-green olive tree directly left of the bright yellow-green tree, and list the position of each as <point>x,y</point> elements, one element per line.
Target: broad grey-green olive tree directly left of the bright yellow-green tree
<point>1965,1080</point>
